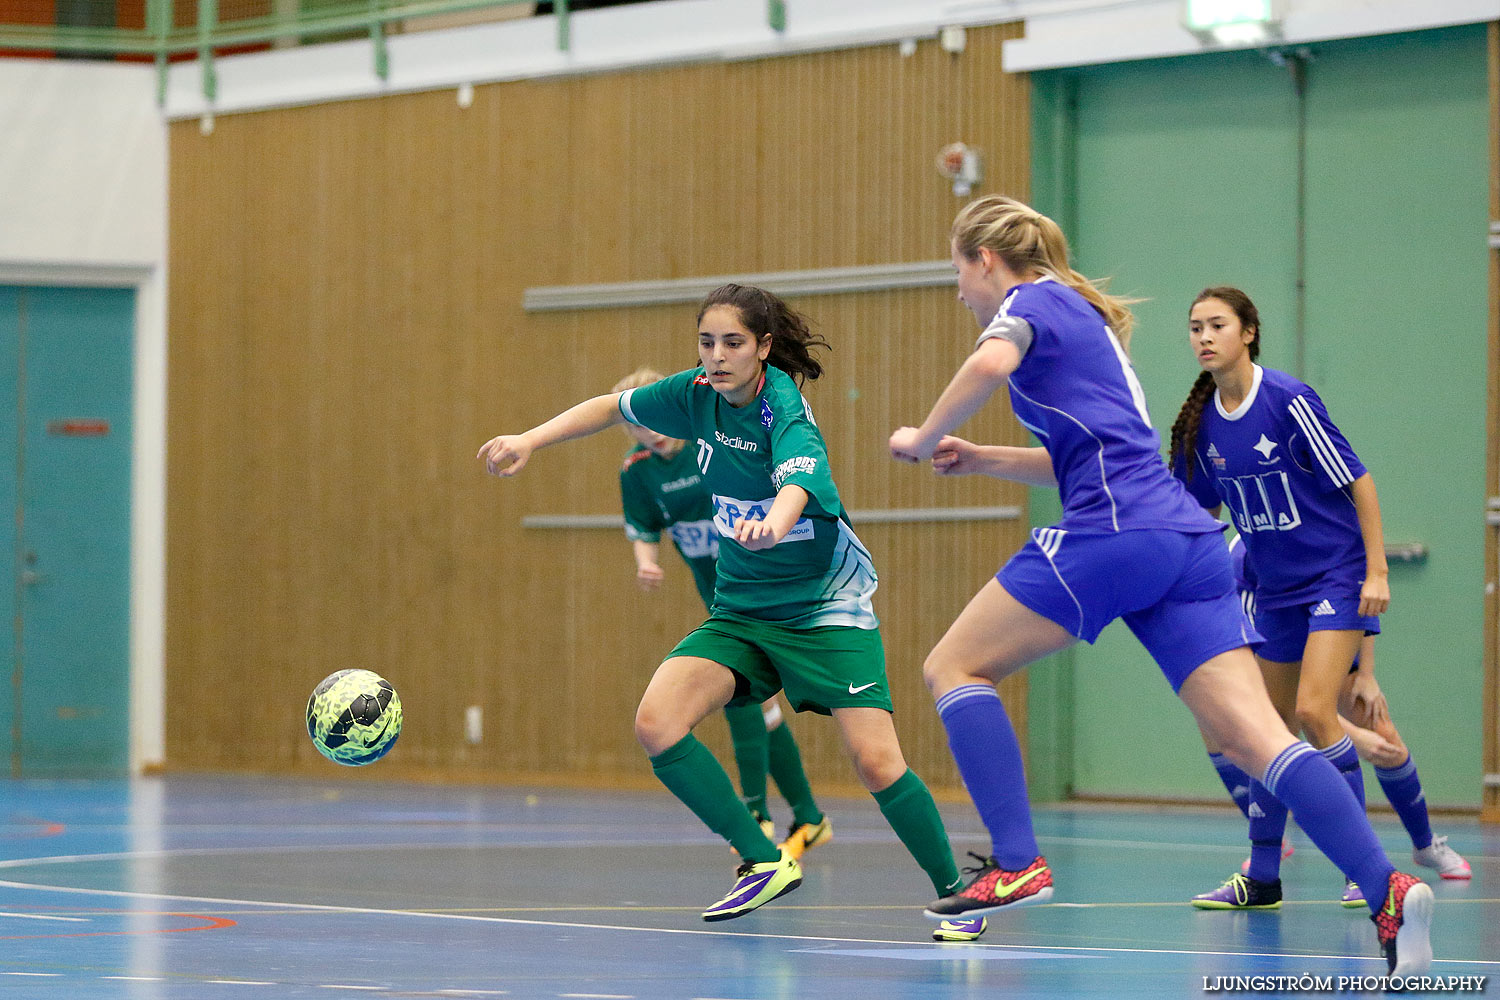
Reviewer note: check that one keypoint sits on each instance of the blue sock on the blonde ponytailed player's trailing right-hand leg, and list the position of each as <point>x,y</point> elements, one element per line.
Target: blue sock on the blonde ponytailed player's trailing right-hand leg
<point>1328,813</point>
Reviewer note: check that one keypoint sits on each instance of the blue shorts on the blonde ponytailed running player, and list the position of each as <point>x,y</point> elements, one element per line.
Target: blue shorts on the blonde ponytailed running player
<point>1175,591</point>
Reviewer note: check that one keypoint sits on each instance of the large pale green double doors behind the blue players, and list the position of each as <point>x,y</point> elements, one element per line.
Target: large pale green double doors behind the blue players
<point>1177,175</point>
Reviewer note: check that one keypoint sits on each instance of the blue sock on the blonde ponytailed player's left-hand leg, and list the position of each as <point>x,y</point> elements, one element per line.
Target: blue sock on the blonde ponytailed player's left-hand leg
<point>989,761</point>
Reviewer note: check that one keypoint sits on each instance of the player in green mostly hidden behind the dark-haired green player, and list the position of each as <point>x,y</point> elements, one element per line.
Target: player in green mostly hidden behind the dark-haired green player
<point>662,491</point>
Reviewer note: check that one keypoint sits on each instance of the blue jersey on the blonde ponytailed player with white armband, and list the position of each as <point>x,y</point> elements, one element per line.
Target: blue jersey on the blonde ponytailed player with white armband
<point>1078,392</point>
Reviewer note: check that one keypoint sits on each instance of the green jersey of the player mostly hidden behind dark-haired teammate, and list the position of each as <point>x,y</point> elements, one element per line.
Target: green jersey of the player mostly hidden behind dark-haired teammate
<point>670,496</point>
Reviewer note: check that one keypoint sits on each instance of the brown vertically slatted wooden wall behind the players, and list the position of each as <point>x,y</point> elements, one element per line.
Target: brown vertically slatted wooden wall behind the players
<point>347,331</point>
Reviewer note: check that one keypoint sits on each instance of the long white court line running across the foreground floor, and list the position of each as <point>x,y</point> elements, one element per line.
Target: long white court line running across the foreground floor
<point>475,918</point>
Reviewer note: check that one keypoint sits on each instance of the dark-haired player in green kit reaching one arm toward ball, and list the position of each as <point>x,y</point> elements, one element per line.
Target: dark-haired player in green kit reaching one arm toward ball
<point>793,605</point>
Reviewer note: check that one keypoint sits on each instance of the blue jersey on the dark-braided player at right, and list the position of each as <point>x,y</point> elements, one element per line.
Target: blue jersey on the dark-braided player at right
<point>1285,470</point>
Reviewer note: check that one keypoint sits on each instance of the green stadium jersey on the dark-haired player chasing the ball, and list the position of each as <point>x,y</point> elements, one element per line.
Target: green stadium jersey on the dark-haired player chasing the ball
<point>820,573</point>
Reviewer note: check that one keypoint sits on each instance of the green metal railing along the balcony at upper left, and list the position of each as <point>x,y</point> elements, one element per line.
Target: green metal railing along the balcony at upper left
<point>163,38</point>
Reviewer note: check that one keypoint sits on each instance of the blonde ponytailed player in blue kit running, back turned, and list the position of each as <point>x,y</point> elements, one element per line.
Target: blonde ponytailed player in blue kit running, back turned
<point>1132,545</point>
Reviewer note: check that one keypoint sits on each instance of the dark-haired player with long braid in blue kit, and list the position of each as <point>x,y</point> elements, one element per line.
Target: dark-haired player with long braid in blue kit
<point>1306,509</point>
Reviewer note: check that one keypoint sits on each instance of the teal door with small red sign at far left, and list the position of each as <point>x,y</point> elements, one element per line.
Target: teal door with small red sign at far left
<point>65,416</point>
